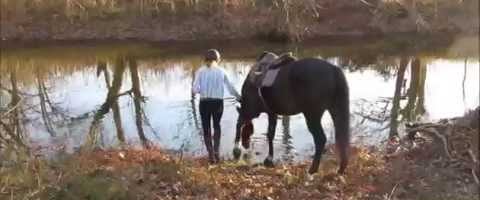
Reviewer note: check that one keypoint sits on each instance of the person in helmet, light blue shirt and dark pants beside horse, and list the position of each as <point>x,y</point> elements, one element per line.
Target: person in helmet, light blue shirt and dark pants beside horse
<point>209,83</point>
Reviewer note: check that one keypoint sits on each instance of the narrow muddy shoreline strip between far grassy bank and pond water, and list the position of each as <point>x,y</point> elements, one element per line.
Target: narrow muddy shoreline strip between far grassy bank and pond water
<point>325,40</point>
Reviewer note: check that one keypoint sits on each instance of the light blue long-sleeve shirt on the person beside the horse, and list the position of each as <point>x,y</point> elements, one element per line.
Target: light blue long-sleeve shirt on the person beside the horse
<point>210,81</point>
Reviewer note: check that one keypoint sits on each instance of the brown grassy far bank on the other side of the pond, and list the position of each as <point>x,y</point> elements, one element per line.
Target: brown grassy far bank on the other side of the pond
<point>279,20</point>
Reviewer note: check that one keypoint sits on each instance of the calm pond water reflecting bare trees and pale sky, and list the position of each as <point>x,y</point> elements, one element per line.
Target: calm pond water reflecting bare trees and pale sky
<point>54,94</point>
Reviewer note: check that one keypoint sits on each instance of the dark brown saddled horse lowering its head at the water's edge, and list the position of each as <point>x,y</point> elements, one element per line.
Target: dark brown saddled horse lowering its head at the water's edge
<point>309,86</point>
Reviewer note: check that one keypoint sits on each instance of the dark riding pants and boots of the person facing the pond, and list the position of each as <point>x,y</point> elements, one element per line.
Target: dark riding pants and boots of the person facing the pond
<point>211,109</point>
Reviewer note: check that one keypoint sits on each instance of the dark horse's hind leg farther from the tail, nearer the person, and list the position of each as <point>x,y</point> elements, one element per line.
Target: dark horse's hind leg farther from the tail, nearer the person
<point>315,127</point>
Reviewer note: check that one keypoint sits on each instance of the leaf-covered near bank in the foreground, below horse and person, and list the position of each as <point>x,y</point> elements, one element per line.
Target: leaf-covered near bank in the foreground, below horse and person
<point>441,162</point>
